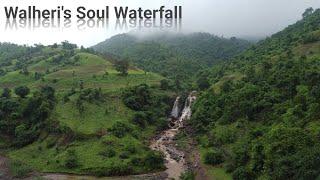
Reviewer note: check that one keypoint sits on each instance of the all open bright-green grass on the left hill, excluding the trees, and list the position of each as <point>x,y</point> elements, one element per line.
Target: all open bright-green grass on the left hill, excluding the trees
<point>43,157</point>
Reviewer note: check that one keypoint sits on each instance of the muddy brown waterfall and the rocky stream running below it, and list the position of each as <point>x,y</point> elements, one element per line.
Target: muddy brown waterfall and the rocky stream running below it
<point>175,161</point>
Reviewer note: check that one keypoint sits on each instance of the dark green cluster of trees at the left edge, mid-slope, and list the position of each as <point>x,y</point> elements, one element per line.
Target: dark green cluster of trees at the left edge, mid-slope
<point>23,118</point>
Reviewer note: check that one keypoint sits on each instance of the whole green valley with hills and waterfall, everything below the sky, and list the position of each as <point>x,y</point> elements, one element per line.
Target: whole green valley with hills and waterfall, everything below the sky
<point>164,106</point>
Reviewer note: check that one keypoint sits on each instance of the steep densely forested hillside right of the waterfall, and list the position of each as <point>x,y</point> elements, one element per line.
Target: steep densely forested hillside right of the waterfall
<point>258,115</point>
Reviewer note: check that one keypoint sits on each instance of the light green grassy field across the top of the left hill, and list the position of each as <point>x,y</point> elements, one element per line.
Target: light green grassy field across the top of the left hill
<point>93,71</point>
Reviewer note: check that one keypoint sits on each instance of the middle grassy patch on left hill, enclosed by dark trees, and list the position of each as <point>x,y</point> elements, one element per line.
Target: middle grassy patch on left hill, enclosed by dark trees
<point>96,116</point>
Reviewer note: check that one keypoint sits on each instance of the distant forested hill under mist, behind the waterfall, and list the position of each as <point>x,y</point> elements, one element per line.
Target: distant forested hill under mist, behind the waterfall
<point>176,56</point>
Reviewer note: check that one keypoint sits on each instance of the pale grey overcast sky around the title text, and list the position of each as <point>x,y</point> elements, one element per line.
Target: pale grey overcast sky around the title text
<point>240,18</point>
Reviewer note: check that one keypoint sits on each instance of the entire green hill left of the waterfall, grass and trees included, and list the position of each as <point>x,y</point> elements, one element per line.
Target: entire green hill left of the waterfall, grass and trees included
<point>76,117</point>
